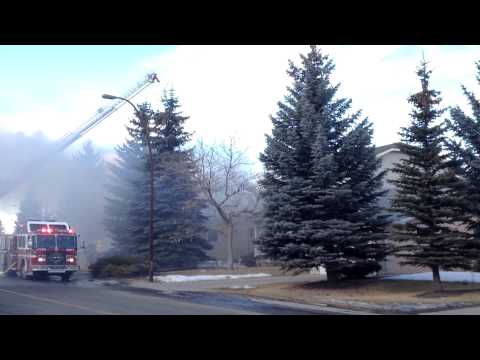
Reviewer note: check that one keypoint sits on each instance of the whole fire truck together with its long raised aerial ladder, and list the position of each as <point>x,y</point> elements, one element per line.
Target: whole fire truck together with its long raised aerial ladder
<point>47,247</point>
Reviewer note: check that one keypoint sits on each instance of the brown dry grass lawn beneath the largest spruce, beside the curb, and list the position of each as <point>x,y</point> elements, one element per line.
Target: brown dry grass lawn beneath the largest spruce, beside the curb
<point>371,291</point>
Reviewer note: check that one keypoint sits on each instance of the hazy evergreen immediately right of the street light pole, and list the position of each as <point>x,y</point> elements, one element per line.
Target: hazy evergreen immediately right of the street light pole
<point>179,217</point>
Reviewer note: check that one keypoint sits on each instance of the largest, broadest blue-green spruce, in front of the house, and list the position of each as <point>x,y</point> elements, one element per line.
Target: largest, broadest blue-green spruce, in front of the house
<point>322,183</point>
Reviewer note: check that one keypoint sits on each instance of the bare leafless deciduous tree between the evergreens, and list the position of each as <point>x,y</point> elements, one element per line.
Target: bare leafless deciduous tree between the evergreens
<point>227,182</point>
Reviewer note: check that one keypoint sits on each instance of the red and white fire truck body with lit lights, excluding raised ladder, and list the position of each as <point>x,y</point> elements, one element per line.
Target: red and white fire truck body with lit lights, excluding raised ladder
<point>42,249</point>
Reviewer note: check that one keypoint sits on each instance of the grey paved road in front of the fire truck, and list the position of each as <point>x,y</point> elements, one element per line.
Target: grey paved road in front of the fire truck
<point>84,297</point>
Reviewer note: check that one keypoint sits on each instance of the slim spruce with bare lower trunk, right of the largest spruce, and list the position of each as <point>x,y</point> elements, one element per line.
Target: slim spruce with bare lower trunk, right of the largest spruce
<point>429,191</point>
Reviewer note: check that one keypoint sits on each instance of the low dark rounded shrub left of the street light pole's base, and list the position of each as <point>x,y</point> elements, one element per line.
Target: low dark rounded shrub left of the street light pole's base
<point>119,266</point>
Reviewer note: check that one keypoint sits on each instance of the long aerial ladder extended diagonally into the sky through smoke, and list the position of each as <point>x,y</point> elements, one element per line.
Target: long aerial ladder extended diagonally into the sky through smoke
<point>68,139</point>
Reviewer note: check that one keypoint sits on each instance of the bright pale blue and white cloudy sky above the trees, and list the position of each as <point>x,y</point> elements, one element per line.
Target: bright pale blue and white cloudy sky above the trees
<point>226,90</point>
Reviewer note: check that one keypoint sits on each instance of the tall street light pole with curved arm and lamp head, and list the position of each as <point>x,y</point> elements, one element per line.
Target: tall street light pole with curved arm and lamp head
<point>152,193</point>
